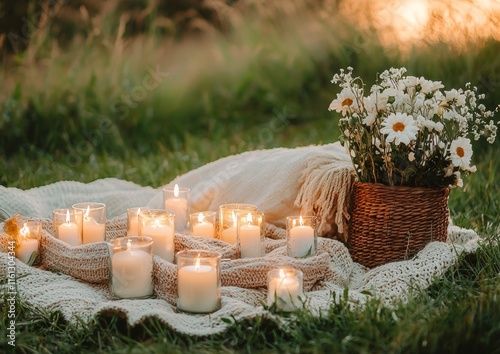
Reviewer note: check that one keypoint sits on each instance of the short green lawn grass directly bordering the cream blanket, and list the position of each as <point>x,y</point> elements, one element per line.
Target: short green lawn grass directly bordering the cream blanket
<point>458,313</point>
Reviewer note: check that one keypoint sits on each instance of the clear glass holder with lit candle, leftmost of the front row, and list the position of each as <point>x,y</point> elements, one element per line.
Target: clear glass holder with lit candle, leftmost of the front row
<point>131,267</point>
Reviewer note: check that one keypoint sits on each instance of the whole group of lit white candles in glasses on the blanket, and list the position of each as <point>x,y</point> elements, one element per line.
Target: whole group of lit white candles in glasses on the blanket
<point>151,231</point>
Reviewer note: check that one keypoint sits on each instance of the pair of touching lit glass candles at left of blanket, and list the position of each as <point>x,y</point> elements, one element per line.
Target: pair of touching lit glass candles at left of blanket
<point>83,224</point>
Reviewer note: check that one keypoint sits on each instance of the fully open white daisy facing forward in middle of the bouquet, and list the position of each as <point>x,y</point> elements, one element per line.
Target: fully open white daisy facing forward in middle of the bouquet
<point>400,128</point>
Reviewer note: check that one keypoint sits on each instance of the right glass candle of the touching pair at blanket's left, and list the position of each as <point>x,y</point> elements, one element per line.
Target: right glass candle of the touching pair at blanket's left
<point>94,221</point>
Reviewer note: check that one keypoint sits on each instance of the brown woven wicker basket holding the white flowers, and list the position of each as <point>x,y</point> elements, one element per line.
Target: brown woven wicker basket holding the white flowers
<point>394,223</point>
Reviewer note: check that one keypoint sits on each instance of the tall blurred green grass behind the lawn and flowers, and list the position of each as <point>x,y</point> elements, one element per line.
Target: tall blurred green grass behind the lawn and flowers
<point>103,89</point>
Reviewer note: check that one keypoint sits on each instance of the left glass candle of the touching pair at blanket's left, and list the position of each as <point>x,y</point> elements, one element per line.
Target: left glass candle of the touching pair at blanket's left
<point>67,225</point>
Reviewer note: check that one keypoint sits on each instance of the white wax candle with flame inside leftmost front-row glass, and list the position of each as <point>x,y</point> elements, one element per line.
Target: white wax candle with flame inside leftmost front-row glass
<point>132,273</point>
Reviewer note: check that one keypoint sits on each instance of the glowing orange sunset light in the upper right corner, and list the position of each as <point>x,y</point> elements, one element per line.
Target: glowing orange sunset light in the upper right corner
<point>407,23</point>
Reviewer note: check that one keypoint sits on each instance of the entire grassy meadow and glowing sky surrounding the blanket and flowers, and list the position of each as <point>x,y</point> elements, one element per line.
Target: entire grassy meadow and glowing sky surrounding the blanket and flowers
<point>145,90</point>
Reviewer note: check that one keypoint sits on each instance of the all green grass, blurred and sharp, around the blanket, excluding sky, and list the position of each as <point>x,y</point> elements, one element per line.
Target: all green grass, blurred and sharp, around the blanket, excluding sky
<point>65,115</point>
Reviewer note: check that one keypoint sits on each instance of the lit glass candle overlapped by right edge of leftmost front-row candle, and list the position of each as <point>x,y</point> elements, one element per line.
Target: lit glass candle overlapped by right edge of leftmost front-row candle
<point>159,224</point>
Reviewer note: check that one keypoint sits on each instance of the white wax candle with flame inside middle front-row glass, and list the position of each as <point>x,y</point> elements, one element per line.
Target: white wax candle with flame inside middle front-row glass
<point>197,287</point>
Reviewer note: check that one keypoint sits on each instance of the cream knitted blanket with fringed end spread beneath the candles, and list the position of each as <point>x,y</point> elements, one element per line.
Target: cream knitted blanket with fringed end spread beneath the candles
<point>281,182</point>
